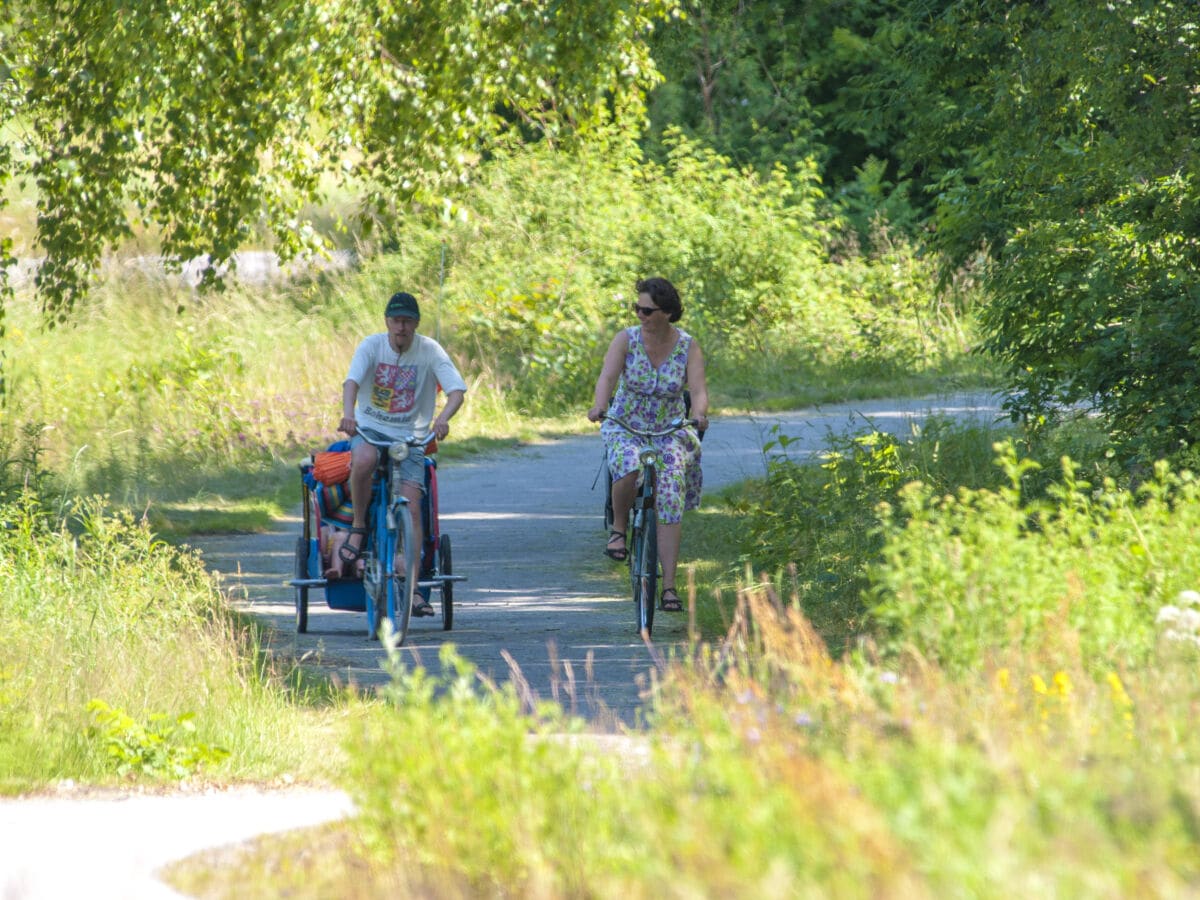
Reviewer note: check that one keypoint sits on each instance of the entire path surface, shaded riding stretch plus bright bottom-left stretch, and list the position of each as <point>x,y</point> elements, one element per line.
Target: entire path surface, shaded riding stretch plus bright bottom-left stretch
<point>527,532</point>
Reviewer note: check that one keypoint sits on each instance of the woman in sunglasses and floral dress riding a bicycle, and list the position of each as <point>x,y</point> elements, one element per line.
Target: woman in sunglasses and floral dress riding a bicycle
<point>646,373</point>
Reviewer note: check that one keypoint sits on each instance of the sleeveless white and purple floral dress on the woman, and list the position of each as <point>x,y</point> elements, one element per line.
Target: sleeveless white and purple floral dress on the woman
<point>649,399</point>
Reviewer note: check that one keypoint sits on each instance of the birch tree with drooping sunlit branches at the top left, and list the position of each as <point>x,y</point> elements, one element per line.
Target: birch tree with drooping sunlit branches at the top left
<point>207,122</point>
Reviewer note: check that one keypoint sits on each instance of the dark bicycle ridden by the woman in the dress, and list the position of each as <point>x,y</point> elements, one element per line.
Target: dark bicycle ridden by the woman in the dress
<point>644,545</point>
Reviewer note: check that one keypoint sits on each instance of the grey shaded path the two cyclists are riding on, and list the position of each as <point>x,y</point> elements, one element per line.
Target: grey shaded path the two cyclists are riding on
<point>527,532</point>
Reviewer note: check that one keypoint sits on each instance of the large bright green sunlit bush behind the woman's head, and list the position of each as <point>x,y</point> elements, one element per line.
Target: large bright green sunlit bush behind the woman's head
<point>545,253</point>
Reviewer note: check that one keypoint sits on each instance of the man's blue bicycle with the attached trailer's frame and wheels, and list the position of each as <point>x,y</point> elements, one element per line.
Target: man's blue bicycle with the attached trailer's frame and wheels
<point>393,567</point>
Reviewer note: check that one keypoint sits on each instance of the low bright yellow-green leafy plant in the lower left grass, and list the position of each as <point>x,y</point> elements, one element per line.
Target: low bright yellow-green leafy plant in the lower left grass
<point>161,748</point>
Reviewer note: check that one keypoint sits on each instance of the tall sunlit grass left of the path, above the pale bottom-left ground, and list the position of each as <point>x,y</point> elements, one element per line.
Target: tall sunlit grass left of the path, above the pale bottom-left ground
<point>122,661</point>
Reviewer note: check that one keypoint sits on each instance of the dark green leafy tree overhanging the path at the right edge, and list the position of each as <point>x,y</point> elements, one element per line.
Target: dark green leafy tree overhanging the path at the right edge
<point>1063,141</point>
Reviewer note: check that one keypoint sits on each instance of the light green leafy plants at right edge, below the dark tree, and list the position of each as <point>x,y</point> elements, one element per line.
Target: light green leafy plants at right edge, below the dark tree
<point>1083,571</point>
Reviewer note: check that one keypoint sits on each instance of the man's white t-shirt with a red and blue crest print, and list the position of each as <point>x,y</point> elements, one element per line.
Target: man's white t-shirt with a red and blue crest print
<point>398,392</point>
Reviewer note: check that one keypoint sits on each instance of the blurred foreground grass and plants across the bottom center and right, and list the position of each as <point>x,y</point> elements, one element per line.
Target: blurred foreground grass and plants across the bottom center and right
<point>775,769</point>
